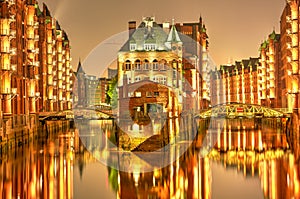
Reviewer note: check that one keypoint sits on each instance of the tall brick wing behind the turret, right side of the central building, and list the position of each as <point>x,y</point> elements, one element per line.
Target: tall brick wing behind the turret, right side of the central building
<point>196,67</point>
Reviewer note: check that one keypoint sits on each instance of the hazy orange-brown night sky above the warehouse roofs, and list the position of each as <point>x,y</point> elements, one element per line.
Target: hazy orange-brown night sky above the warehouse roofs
<point>235,27</point>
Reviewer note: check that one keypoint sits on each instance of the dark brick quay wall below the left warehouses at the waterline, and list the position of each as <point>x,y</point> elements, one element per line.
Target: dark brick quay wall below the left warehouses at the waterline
<point>19,130</point>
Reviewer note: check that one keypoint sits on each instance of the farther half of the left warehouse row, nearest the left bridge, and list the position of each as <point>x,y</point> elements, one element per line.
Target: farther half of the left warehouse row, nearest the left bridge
<point>55,84</point>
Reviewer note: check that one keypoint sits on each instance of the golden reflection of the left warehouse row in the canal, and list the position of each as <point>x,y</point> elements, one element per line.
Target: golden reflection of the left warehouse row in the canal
<point>40,169</point>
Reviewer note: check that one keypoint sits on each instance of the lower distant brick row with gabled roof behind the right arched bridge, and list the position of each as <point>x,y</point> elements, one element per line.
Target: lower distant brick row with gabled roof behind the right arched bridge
<point>235,83</point>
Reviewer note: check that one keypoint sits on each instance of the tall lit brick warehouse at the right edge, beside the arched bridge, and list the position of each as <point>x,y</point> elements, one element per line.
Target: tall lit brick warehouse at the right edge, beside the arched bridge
<point>278,67</point>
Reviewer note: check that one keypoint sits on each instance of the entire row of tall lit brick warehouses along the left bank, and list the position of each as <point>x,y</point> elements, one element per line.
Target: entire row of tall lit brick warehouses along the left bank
<point>35,74</point>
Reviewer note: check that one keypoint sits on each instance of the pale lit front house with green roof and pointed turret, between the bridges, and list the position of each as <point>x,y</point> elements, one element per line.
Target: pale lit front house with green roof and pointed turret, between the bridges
<point>150,57</point>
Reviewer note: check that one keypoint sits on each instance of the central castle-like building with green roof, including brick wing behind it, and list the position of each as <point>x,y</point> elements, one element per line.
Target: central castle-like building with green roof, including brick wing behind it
<point>158,53</point>
